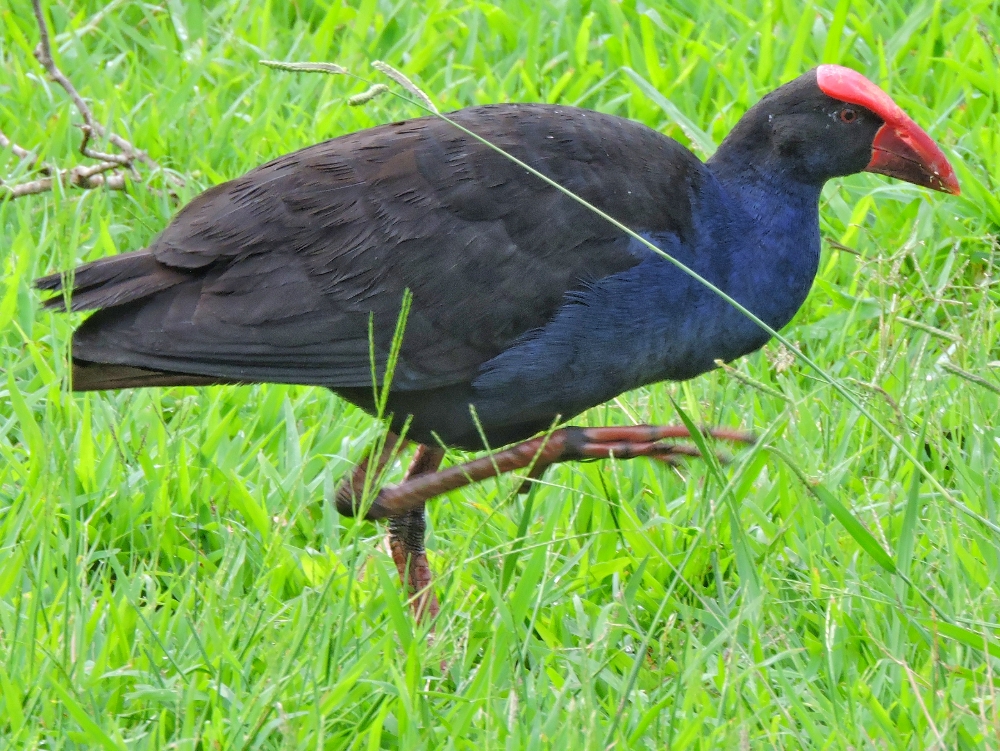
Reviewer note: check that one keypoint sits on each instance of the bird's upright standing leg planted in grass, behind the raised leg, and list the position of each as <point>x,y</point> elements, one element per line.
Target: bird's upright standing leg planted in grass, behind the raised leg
<point>406,539</point>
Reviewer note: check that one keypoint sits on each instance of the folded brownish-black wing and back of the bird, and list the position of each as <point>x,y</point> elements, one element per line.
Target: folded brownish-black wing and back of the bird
<point>274,275</point>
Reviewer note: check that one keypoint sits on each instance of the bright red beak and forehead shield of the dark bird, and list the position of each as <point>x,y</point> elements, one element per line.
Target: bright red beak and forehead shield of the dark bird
<point>901,148</point>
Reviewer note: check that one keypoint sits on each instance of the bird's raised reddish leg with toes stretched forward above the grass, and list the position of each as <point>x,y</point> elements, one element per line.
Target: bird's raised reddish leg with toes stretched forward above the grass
<point>566,444</point>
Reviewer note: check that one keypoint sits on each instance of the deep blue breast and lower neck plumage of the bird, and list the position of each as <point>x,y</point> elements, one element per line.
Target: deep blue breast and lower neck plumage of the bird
<point>653,322</point>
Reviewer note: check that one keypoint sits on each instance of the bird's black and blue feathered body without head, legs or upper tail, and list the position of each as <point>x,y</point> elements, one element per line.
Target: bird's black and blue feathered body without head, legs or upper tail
<point>516,287</point>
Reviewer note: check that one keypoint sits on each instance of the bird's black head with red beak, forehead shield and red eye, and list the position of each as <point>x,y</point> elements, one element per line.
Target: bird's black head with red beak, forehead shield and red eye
<point>832,121</point>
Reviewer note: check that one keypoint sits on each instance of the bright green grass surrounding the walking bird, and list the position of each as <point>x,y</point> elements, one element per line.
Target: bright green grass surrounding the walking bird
<point>173,576</point>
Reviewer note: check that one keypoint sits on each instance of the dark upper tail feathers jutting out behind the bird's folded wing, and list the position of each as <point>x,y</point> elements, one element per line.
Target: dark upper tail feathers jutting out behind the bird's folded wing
<point>110,281</point>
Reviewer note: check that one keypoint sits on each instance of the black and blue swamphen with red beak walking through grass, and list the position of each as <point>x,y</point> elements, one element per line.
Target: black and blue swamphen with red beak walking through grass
<point>518,307</point>
